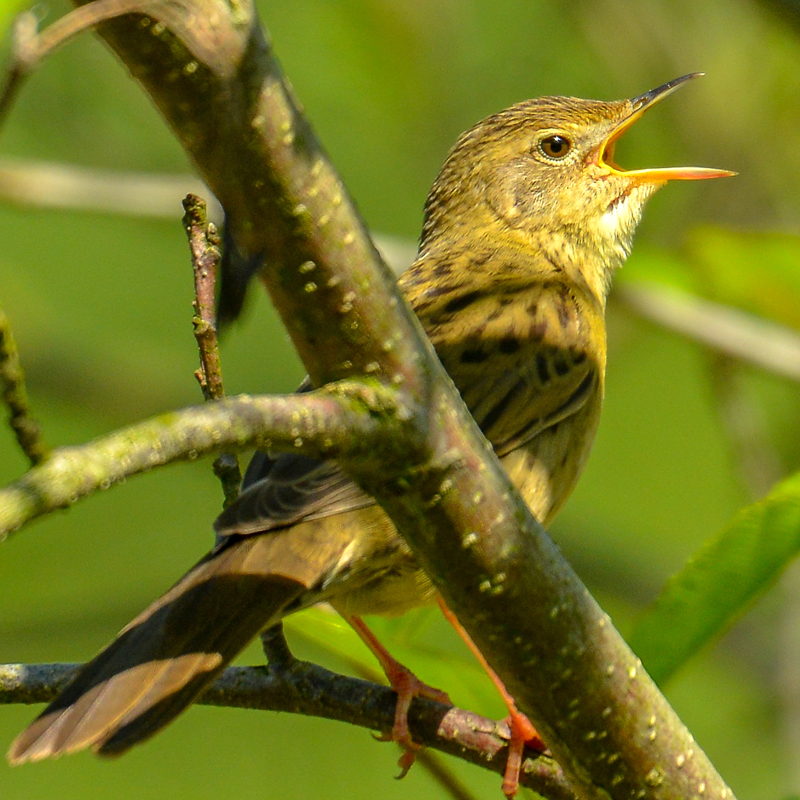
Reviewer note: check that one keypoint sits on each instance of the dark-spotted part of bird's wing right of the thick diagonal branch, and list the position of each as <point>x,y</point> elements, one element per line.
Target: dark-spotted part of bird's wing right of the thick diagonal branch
<point>523,355</point>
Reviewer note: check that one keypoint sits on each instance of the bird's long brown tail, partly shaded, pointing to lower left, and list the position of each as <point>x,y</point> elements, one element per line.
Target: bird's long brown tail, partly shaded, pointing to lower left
<point>172,651</point>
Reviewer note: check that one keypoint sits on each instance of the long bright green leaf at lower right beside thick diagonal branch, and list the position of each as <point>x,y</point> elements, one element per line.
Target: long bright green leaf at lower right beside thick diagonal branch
<point>720,582</point>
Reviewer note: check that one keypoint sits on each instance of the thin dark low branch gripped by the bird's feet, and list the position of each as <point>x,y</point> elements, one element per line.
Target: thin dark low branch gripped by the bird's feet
<point>303,688</point>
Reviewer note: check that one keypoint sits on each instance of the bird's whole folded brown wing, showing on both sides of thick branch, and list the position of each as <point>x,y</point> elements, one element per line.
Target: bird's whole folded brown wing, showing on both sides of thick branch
<point>523,355</point>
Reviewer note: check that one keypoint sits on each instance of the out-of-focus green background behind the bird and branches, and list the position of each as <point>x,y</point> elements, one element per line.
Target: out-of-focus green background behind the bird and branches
<point>101,306</point>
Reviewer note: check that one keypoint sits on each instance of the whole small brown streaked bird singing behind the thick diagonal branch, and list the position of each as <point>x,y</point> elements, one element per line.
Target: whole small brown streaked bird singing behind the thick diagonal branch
<point>524,226</point>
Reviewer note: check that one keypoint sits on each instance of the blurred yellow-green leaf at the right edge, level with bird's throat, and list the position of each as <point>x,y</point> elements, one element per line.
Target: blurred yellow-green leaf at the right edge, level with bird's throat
<point>759,272</point>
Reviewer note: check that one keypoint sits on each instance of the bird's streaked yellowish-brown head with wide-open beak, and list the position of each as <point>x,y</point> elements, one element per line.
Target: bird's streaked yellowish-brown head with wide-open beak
<point>546,168</point>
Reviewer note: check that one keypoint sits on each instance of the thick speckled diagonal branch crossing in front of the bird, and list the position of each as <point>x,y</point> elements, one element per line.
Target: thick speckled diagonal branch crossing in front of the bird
<point>521,603</point>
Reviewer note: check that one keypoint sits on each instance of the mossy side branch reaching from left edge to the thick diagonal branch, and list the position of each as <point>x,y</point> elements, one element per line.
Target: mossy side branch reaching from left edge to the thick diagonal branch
<point>340,420</point>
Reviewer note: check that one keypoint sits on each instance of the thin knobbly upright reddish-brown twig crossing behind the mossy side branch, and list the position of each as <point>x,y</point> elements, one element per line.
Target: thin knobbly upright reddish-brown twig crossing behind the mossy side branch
<point>204,244</point>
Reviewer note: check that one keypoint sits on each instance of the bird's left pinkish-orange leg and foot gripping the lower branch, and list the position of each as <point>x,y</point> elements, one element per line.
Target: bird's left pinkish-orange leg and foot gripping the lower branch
<point>407,686</point>
